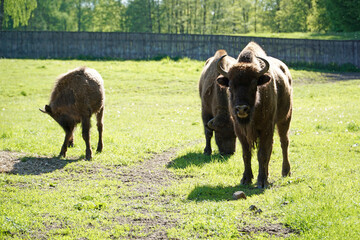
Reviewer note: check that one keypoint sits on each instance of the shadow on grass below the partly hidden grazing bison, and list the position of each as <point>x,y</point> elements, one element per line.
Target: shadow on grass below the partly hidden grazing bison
<point>195,158</point>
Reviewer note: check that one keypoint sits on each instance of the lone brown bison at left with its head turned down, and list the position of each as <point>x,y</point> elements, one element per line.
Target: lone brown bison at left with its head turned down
<point>76,96</point>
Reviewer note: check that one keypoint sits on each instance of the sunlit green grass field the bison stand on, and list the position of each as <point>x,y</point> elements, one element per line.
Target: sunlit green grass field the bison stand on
<point>152,180</point>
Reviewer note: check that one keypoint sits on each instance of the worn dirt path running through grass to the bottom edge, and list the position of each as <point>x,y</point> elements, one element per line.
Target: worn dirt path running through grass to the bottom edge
<point>148,178</point>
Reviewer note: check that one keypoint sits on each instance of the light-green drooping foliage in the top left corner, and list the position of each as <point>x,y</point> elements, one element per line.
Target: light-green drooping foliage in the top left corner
<point>16,12</point>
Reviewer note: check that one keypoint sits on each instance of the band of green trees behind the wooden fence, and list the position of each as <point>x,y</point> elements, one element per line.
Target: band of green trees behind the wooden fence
<point>181,16</point>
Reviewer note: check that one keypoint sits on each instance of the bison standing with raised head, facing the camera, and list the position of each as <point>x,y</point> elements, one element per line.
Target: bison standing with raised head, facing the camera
<point>260,96</point>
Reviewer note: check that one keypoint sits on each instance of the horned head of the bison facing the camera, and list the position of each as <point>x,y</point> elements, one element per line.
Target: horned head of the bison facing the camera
<point>242,80</point>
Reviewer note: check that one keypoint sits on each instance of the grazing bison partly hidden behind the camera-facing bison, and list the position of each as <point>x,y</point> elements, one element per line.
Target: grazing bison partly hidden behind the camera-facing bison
<point>215,108</point>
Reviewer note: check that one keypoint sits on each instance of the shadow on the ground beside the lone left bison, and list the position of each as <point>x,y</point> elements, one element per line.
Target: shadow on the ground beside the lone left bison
<point>40,165</point>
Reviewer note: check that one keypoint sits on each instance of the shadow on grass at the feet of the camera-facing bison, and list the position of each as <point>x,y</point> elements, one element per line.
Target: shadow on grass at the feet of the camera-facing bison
<point>221,193</point>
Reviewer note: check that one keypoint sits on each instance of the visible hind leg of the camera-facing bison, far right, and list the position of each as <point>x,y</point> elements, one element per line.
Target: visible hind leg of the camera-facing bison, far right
<point>283,129</point>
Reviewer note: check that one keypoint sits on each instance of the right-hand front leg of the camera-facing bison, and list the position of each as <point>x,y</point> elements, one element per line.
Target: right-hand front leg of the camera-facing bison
<point>264,153</point>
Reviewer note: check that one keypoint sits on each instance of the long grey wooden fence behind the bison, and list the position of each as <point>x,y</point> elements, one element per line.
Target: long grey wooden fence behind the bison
<point>15,44</point>
